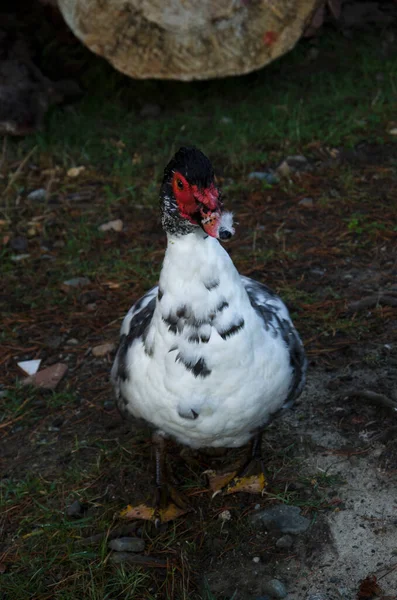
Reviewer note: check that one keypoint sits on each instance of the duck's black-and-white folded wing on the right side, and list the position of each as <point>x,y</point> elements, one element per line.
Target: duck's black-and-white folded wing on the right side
<point>276,318</point>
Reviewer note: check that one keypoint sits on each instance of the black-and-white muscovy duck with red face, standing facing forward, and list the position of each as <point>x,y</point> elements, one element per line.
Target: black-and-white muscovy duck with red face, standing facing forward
<point>207,357</point>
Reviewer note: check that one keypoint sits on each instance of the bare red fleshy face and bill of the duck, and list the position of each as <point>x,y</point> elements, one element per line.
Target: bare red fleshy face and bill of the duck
<point>193,202</point>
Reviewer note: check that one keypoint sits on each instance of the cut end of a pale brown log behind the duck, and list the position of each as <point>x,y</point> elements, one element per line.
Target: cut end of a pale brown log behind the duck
<point>188,39</point>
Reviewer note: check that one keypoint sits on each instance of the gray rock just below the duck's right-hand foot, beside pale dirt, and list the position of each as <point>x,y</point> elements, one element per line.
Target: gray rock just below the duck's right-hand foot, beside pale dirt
<point>286,519</point>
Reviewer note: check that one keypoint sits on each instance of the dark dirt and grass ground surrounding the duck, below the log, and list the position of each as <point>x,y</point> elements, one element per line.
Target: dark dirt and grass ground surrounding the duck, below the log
<point>323,235</point>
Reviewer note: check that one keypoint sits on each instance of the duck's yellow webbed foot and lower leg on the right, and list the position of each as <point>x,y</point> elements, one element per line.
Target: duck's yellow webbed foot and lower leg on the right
<point>250,478</point>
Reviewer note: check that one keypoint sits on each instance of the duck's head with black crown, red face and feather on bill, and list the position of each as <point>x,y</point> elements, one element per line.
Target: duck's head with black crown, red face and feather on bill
<point>190,199</point>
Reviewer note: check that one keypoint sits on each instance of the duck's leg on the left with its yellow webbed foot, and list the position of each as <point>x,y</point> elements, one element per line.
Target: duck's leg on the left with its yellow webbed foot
<point>169,504</point>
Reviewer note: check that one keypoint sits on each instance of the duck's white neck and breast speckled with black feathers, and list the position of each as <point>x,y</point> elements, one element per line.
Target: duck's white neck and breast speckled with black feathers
<point>213,374</point>
